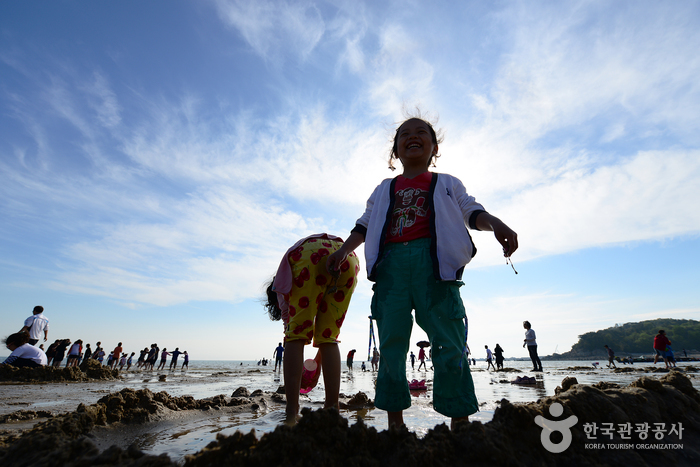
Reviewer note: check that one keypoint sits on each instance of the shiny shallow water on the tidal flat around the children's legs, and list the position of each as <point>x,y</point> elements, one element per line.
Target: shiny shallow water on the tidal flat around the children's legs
<point>210,378</point>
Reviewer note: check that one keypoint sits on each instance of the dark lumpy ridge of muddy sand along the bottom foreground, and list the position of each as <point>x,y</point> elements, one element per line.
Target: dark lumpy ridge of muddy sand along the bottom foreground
<point>324,438</point>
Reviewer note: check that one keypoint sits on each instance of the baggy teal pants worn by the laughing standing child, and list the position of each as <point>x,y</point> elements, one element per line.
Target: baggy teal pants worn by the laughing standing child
<point>405,282</point>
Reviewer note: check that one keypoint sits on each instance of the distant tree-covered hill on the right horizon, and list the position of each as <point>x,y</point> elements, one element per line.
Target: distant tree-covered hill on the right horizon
<point>637,338</point>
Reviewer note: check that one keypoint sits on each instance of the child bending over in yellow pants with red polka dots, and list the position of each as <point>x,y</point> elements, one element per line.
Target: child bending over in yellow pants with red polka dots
<point>312,304</point>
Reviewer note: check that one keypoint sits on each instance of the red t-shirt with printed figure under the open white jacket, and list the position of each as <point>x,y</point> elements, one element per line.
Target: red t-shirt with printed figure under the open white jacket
<point>410,218</point>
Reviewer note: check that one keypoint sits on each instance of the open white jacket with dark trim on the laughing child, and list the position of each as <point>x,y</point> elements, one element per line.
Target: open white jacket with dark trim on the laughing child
<point>451,210</point>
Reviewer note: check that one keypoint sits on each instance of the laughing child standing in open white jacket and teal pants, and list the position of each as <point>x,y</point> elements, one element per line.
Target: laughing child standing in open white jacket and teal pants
<point>416,247</point>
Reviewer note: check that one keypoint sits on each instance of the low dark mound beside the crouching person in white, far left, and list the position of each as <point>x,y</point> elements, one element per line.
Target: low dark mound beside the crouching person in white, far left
<point>88,370</point>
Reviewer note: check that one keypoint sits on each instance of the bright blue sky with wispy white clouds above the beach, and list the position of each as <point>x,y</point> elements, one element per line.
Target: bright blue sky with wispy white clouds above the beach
<point>158,158</point>
